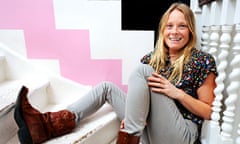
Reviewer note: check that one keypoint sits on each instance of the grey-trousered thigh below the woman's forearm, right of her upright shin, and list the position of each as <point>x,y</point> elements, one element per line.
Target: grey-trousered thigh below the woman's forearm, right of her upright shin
<point>166,124</point>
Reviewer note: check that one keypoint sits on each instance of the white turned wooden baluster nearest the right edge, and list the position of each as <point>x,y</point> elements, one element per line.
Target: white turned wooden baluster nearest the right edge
<point>233,92</point>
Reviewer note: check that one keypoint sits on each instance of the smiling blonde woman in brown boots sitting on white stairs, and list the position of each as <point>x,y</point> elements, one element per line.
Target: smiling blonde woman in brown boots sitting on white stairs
<point>168,96</point>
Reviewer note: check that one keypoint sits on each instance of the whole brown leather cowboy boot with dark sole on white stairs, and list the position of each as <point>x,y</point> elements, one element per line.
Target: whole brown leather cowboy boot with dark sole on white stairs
<point>36,127</point>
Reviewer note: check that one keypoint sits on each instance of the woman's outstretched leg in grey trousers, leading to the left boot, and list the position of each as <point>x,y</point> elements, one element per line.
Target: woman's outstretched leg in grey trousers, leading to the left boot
<point>94,99</point>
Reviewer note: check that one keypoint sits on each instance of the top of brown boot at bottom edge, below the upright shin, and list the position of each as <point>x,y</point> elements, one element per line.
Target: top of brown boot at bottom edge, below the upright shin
<point>125,138</point>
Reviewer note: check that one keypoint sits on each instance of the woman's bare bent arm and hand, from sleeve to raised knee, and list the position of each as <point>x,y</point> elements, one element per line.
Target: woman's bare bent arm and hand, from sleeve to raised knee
<point>200,107</point>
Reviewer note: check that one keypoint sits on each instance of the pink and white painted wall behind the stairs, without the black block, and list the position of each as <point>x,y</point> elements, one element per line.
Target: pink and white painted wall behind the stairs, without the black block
<point>83,37</point>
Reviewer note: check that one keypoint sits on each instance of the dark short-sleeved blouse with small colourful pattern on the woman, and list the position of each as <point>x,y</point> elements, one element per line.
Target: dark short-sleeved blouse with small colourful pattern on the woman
<point>195,72</point>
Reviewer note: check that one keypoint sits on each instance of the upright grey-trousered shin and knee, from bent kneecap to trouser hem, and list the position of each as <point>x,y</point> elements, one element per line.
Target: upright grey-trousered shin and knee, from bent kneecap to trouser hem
<point>138,100</point>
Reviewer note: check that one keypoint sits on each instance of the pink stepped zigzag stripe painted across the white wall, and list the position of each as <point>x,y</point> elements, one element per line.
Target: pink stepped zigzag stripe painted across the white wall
<point>71,47</point>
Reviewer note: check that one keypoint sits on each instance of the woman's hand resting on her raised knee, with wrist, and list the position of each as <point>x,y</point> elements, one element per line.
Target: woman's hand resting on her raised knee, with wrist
<point>159,84</point>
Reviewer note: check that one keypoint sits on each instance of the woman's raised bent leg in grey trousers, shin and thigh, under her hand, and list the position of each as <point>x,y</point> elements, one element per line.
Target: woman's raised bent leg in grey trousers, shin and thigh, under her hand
<point>165,123</point>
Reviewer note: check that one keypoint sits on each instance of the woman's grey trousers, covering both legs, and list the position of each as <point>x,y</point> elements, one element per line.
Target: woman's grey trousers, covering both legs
<point>165,124</point>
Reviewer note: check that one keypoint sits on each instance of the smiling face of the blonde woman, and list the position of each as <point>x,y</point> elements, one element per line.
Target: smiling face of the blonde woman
<point>176,32</point>
